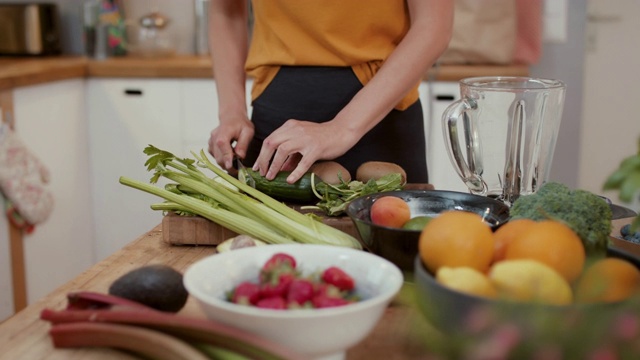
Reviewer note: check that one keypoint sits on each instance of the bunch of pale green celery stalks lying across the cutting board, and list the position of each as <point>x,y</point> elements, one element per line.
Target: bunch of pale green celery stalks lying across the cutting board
<point>232,203</point>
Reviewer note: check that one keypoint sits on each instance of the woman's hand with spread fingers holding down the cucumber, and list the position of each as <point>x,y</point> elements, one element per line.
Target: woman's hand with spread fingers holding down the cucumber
<point>297,144</point>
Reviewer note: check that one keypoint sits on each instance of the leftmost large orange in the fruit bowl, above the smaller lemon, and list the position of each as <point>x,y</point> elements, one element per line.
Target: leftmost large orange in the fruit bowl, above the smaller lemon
<point>456,238</point>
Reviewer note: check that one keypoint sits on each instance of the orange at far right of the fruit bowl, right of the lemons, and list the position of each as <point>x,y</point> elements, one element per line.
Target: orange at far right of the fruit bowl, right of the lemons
<point>608,280</point>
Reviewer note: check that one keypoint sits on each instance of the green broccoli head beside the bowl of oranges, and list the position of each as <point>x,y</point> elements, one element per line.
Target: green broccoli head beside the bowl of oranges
<point>587,214</point>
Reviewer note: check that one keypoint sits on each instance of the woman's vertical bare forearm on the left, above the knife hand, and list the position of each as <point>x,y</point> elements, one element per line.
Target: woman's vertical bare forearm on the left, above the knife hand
<point>228,40</point>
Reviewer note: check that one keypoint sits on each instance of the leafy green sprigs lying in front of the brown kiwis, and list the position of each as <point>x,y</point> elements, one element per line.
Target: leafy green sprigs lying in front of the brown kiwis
<point>334,199</point>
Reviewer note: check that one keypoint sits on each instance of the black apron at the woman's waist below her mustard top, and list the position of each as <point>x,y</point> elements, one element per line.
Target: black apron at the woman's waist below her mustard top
<point>317,94</point>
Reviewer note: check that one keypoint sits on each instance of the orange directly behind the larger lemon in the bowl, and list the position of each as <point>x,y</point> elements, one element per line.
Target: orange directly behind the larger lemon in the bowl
<point>552,243</point>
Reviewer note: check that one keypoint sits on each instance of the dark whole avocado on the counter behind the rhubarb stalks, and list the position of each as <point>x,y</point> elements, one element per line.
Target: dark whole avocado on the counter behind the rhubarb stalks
<point>157,286</point>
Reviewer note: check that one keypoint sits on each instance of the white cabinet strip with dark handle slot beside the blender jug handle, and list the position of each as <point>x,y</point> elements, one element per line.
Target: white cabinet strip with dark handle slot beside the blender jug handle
<point>436,97</point>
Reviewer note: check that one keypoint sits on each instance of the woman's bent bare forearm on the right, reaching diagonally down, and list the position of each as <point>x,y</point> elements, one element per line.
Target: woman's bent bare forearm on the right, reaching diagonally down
<point>426,40</point>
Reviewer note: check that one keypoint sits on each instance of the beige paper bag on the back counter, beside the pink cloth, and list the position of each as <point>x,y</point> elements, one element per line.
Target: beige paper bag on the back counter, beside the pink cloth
<point>484,32</point>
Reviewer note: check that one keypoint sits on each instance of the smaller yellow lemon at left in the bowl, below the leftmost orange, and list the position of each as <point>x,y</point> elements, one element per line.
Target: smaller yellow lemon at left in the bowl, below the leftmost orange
<point>467,280</point>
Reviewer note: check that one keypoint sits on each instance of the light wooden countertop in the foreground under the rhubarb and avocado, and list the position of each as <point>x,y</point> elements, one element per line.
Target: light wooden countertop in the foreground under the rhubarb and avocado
<point>25,336</point>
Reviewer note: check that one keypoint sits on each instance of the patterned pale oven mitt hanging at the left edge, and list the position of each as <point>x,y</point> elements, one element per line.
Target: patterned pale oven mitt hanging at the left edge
<point>23,180</point>
